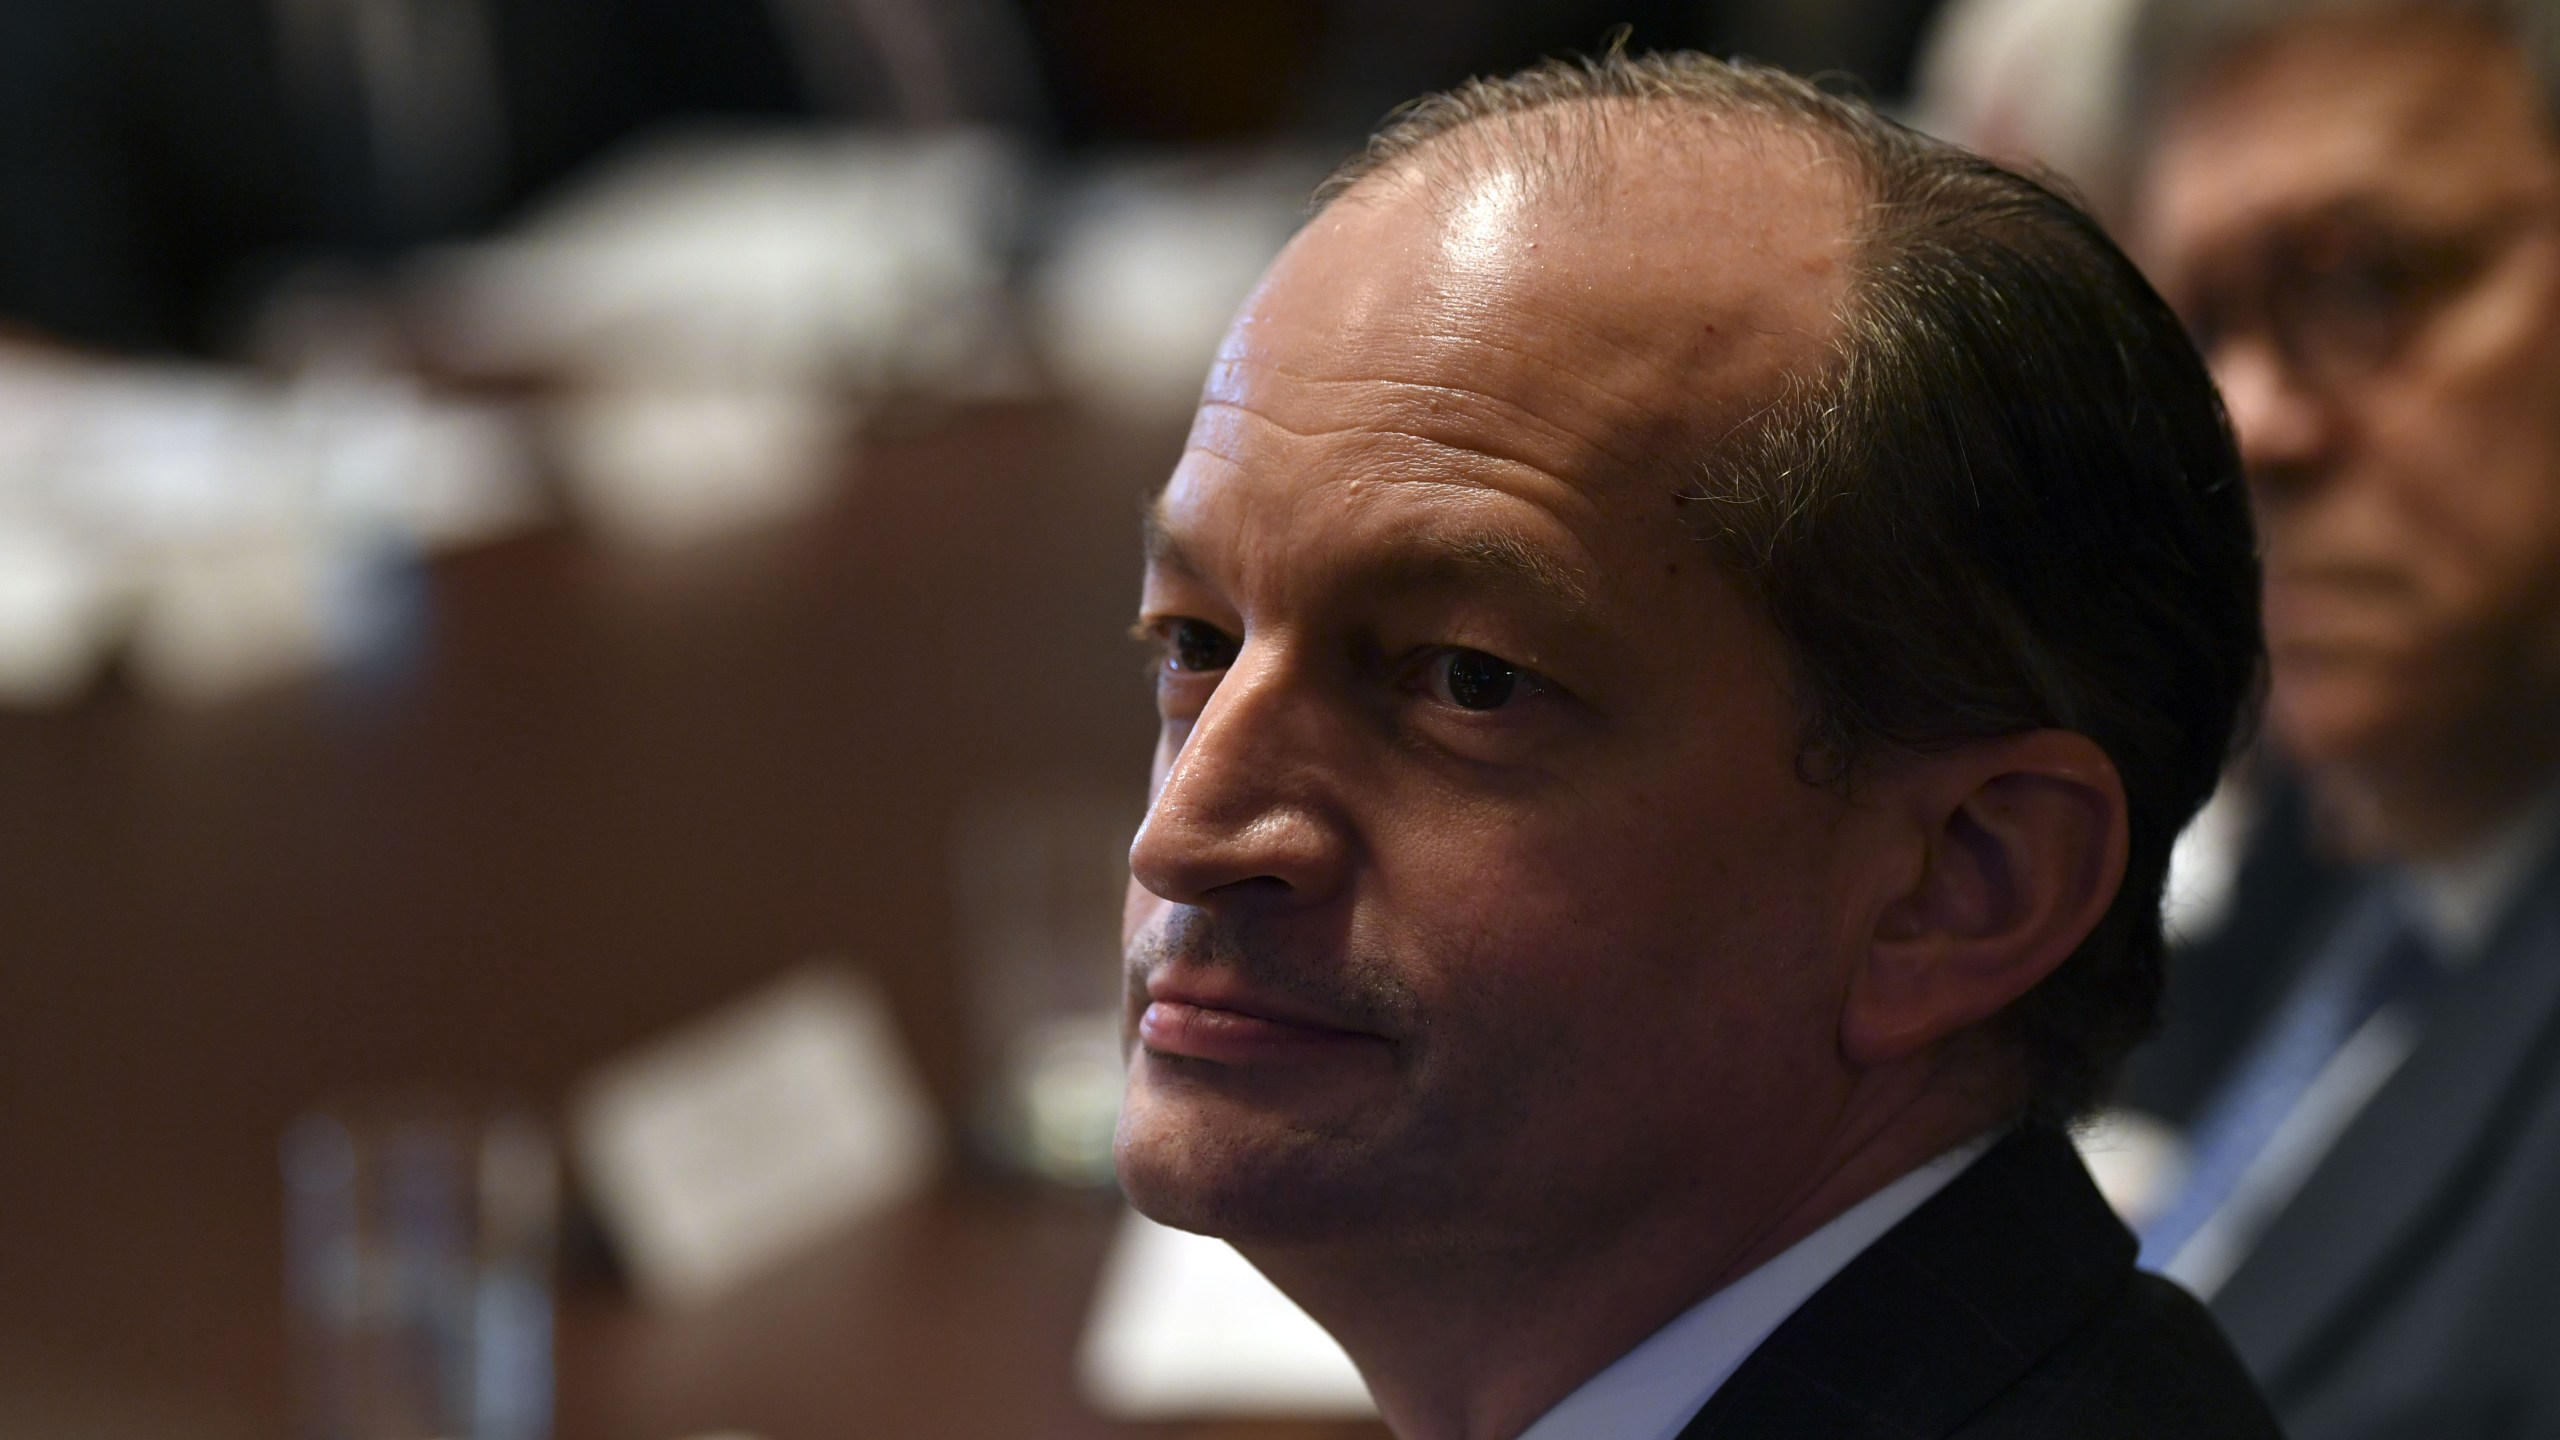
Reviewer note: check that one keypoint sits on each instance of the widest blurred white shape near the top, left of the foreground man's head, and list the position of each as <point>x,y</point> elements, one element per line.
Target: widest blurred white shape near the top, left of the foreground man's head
<point>846,263</point>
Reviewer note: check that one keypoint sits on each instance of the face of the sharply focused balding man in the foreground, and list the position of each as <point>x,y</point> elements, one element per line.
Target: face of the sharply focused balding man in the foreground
<point>1481,898</point>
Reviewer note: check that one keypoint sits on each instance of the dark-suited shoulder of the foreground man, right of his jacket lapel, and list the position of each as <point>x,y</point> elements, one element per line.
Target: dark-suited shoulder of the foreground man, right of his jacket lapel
<point>2149,1364</point>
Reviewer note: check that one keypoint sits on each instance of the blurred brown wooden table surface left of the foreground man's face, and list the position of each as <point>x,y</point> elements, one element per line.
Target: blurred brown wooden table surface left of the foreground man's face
<point>608,793</point>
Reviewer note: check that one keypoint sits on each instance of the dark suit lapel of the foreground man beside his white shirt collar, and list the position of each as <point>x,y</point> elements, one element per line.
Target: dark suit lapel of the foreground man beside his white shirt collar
<point>1942,1313</point>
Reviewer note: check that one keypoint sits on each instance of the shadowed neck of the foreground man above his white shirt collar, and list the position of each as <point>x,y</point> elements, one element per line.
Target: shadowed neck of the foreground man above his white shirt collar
<point>1476,1341</point>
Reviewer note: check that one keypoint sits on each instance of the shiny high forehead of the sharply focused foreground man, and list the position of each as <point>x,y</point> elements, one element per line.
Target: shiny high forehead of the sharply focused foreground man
<point>1481,327</point>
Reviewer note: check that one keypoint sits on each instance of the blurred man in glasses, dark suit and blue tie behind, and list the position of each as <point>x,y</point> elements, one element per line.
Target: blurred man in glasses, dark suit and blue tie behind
<point>2356,206</point>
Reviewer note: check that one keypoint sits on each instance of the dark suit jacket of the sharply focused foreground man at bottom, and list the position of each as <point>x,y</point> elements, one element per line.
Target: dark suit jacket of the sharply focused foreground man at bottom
<point>2006,1308</point>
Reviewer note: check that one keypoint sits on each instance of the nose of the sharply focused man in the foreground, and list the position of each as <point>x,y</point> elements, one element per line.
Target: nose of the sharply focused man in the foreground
<point>1248,806</point>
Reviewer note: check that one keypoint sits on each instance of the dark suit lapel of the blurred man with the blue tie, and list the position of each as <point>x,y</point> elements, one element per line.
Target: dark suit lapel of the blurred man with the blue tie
<point>2410,1159</point>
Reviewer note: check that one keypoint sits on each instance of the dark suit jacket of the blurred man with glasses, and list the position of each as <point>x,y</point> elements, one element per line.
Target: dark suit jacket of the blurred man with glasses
<point>2413,1288</point>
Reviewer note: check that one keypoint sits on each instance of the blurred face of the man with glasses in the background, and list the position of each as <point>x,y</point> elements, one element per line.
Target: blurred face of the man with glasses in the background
<point>2359,222</point>
